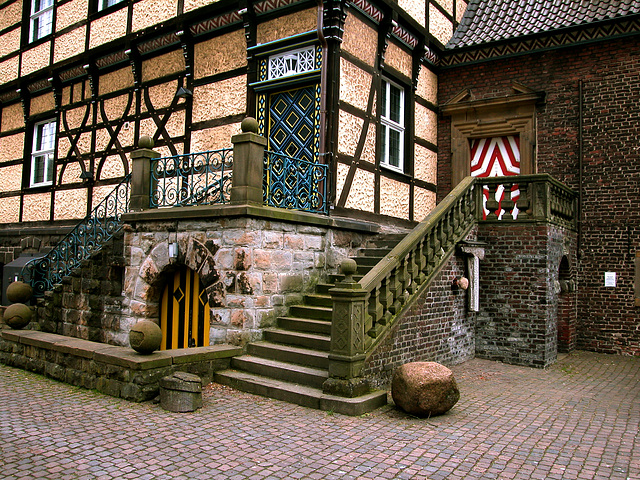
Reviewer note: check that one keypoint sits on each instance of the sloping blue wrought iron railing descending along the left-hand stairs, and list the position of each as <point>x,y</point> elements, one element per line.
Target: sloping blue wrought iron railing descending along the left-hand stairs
<point>85,239</point>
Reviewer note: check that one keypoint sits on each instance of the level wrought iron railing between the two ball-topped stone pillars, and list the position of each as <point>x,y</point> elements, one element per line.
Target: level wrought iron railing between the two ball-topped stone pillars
<point>202,178</point>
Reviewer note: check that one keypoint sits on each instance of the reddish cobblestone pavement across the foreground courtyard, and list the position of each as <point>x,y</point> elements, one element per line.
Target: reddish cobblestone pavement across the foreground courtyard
<point>578,419</point>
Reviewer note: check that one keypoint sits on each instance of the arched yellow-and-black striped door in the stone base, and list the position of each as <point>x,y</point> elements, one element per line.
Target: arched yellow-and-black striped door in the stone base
<point>184,311</point>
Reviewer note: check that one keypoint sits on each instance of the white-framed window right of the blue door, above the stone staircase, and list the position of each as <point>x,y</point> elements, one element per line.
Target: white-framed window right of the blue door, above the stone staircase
<point>392,126</point>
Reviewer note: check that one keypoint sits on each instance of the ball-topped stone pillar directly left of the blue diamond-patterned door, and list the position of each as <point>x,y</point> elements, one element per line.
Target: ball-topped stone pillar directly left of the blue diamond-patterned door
<point>248,164</point>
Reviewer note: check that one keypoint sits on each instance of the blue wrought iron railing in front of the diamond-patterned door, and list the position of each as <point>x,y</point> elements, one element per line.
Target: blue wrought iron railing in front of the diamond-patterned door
<point>294,183</point>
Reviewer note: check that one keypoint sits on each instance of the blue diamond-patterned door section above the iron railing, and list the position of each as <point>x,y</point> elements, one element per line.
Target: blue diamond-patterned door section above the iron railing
<point>291,123</point>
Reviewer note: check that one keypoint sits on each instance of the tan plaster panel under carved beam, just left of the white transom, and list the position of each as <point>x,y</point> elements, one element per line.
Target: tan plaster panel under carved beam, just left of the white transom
<point>220,54</point>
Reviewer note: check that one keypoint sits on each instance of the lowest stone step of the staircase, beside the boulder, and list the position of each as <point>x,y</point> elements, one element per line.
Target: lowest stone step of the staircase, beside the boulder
<point>301,395</point>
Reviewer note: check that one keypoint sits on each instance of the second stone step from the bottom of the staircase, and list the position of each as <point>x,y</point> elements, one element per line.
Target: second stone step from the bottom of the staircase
<point>288,372</point>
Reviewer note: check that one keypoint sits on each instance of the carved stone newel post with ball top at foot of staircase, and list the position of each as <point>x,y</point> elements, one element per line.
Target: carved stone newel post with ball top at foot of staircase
<point>347,354</point>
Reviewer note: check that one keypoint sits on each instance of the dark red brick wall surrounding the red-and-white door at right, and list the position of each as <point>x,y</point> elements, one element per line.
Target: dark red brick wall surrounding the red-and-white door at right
<point>608,320</point>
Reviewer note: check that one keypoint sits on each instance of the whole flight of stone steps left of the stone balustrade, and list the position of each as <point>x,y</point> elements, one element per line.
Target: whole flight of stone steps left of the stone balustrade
<point>292,361</point>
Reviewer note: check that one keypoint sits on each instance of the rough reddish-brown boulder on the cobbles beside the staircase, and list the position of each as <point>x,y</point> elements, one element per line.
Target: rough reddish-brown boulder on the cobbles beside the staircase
<point>424,389</point>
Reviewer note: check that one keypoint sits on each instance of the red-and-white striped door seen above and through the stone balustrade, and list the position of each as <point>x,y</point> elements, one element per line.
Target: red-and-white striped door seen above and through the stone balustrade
<point>496,157</point>
